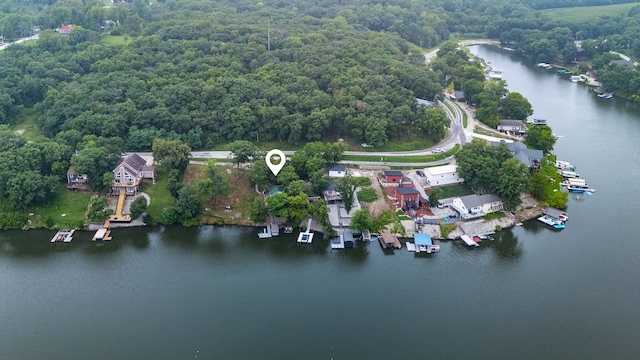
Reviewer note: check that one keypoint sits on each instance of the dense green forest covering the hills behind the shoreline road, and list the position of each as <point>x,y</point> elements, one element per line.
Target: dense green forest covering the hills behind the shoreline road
<point>207,73</point>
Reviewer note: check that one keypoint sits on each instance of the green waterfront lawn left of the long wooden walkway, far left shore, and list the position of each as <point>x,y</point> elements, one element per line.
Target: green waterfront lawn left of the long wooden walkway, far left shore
<point>66,210</point>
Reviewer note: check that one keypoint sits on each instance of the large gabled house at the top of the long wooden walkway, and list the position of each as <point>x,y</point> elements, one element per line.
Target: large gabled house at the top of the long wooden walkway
<point>130,173</point>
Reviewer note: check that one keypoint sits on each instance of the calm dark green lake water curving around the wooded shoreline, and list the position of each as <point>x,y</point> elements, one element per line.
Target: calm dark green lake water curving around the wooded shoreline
<point>222,293</point>
